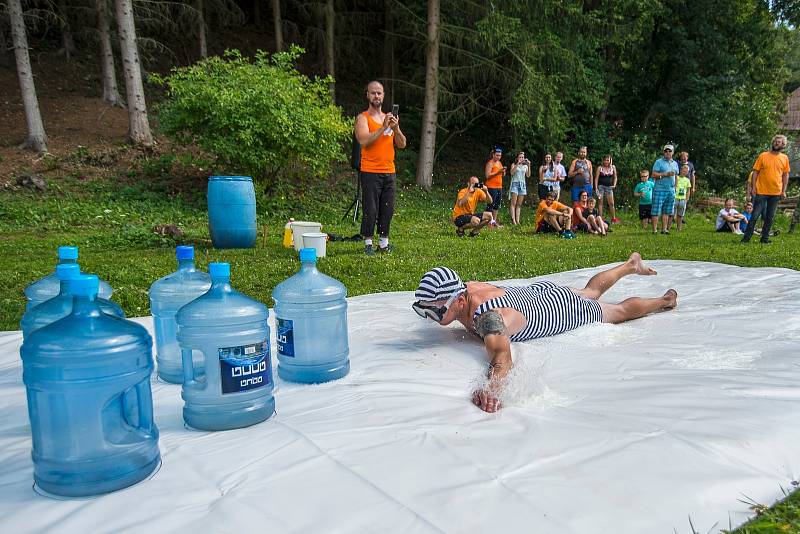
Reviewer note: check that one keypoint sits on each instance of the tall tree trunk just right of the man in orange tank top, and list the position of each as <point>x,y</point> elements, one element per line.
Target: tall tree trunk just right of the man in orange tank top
<point>427,149</point>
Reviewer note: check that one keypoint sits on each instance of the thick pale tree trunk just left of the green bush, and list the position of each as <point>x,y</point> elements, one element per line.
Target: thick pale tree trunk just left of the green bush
<point>139,126</point>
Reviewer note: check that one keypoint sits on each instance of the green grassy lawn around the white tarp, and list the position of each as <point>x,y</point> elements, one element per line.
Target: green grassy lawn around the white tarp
<point>111,221</point>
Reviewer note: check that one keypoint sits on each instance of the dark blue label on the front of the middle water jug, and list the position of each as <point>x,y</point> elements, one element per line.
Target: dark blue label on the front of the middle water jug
<point>245,367</point>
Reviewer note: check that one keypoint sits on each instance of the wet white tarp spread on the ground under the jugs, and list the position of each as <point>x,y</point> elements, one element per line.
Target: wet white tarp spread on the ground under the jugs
<point>627,429</point>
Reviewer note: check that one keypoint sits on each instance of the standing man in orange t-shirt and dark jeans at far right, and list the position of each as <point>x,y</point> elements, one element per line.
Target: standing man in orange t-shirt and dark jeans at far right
<point>770,179</point>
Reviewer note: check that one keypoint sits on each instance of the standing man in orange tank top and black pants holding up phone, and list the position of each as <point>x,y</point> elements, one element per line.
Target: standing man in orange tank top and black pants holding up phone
<point>378,133</point>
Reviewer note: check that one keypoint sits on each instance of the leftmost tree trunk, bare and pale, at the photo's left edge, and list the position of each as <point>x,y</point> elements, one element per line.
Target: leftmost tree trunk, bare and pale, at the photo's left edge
<point>37,139</point>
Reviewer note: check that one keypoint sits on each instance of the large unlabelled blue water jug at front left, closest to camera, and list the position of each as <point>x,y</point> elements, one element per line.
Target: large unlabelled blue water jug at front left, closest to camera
<point>89,401</point>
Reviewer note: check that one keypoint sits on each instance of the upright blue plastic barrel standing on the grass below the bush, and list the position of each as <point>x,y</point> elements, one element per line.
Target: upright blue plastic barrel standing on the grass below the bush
<point>232,211</point>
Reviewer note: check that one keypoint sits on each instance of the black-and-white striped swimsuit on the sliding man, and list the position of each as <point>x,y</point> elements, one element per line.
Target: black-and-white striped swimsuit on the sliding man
<point>549,309</point>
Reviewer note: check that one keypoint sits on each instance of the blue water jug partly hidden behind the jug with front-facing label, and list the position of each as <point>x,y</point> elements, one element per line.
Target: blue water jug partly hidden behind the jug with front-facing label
<point>167,295</point>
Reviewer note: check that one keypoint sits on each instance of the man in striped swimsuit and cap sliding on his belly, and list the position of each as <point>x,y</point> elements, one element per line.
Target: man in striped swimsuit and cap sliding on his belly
<point>500,315</point>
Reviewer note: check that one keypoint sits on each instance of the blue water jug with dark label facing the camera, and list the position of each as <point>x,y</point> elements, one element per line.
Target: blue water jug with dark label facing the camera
<point>230,329</point>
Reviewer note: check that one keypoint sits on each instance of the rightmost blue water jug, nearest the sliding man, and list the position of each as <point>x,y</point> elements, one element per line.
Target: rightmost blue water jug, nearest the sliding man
<point>311,323</point>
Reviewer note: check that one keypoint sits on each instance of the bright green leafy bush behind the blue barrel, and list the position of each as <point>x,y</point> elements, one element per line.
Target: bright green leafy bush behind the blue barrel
<point>256,117</point>
